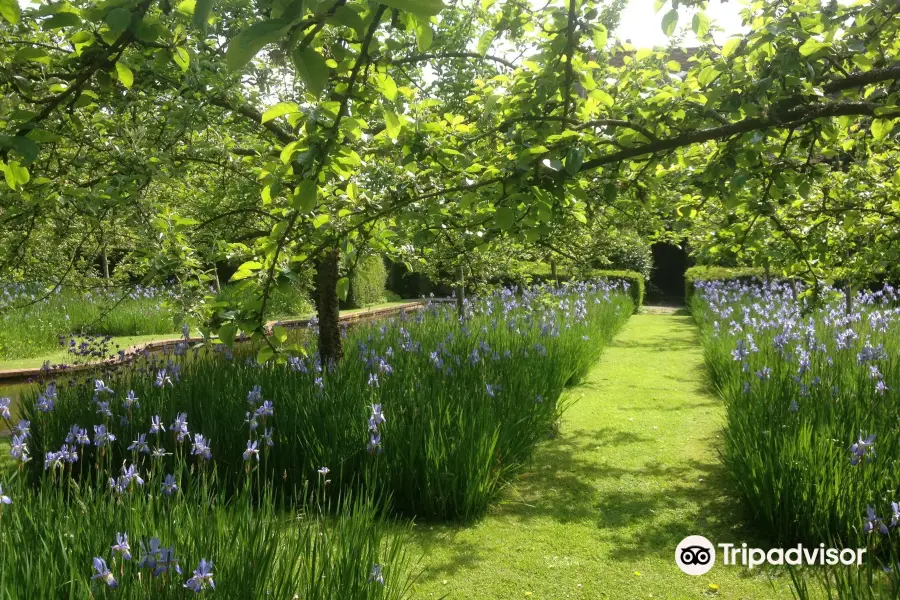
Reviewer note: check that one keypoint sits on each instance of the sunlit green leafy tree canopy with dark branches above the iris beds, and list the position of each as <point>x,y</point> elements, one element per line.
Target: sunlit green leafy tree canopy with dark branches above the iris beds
<point>290,136</point>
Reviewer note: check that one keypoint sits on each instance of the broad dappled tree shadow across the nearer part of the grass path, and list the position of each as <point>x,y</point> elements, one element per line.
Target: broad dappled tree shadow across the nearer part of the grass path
<point>564,484</point>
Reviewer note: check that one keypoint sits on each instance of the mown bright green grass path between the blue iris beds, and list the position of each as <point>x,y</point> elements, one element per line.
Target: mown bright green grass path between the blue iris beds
<point>603,506</point>
